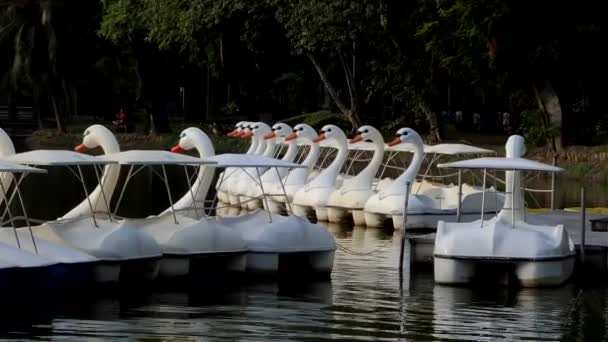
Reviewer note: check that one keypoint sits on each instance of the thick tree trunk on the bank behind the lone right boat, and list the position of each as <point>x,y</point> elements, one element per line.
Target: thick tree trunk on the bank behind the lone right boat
<point>548,102</point>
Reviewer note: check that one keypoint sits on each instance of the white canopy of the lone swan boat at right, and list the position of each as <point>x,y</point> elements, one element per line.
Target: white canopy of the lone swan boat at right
<point>496,163</point>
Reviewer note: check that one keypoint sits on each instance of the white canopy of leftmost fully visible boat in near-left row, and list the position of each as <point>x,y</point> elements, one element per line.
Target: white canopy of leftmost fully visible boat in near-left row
<point>56,158</point>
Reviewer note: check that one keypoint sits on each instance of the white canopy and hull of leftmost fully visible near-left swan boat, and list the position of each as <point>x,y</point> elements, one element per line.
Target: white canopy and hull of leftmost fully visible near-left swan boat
<point>119,251</point>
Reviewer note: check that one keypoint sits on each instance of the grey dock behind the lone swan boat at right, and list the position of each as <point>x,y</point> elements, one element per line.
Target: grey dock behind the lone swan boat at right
<point>592,251</point>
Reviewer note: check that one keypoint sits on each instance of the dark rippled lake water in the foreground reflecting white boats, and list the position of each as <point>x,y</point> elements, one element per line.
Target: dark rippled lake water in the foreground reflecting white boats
<point>364,300</point>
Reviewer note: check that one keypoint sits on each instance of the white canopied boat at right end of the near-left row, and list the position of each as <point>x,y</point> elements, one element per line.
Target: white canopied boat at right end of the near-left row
<point>276,243</point>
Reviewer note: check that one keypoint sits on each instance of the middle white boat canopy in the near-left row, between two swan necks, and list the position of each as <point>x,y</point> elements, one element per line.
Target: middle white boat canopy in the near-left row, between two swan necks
<point>153,157</point>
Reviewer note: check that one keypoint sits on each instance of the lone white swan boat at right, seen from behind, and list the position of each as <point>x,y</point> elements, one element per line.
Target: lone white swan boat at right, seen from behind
<point>536,254</point>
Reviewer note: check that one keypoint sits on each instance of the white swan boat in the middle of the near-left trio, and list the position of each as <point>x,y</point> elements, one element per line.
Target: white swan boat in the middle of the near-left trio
<point>191,245</point>
